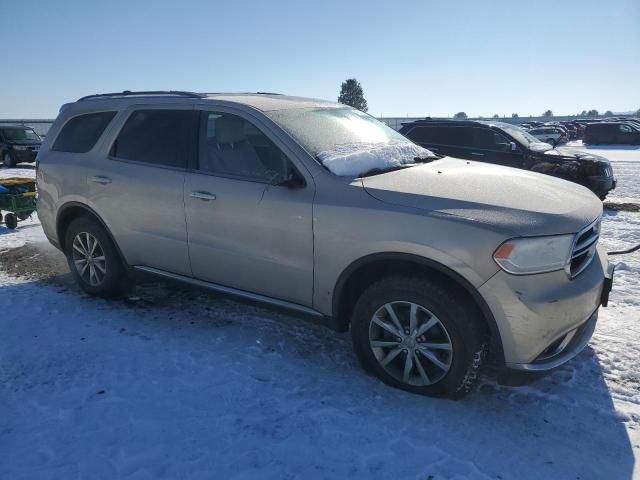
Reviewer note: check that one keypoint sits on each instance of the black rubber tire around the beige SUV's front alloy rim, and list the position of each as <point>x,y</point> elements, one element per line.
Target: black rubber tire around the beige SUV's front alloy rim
<point>460,320</point>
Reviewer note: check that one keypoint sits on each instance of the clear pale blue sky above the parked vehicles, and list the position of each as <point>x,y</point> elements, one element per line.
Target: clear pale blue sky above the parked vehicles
<point>413,58</point>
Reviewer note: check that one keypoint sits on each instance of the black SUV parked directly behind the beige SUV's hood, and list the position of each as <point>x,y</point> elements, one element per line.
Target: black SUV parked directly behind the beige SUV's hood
<point>505,144</point>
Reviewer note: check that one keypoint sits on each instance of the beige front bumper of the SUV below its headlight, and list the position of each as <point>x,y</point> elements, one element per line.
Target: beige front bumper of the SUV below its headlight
<point>546,319</point>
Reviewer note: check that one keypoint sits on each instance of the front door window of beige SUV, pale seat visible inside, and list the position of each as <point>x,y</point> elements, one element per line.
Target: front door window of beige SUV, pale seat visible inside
<point>231,146</point>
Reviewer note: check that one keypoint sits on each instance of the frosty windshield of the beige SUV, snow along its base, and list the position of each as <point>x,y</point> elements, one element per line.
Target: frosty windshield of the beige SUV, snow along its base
<point>349,142</point>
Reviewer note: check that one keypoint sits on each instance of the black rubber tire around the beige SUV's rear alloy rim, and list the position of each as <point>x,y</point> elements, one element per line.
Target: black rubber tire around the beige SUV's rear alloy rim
<point>114,281</point>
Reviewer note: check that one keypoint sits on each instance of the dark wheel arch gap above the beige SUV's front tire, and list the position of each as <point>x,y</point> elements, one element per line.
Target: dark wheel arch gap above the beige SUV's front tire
<point>357,276</point>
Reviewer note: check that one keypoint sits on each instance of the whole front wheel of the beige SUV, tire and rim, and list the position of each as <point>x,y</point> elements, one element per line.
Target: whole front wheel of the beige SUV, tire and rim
<point>415,335</point>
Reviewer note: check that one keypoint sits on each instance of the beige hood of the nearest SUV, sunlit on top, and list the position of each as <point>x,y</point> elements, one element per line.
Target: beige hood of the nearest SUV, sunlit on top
<point>520,202</point>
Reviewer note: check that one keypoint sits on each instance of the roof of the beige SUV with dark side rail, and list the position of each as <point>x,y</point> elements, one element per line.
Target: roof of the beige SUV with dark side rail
<point>260,101</point>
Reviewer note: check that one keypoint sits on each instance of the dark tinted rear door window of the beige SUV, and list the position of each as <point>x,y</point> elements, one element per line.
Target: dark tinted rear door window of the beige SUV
<point>159,137</point>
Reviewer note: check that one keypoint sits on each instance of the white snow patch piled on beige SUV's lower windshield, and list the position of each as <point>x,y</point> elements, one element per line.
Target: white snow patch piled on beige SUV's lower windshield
<point>355,159</point>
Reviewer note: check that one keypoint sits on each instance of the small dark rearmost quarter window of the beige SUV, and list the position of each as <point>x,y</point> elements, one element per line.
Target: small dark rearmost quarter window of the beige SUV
<point>81,133</point>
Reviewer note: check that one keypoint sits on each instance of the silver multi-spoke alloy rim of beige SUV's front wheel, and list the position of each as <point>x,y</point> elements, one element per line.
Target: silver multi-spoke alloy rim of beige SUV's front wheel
<point>410,343</point>
